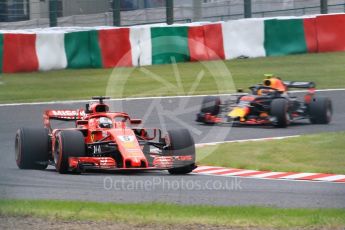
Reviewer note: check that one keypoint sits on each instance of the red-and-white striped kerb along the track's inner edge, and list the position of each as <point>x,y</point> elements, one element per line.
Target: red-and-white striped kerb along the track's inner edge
<point>222,171</point>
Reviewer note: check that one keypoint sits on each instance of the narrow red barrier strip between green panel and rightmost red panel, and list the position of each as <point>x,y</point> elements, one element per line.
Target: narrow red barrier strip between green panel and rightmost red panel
<point>310,34</point>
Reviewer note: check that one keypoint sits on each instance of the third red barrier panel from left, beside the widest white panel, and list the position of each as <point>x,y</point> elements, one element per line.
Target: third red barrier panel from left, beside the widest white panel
<point>206,42</point>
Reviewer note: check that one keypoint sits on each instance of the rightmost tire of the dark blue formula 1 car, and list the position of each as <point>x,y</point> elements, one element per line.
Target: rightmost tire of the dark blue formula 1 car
<point>320,110</point>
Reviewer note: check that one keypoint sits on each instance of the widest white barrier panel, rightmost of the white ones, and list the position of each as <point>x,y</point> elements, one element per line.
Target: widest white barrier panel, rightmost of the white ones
<point>244,38</point>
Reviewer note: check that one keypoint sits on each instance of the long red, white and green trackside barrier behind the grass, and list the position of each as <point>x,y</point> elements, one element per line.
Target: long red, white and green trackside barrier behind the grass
<point>108,47</point>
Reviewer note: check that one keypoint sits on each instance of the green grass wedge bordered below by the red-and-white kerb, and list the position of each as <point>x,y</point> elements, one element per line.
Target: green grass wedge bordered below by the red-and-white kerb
<point>322,153</point>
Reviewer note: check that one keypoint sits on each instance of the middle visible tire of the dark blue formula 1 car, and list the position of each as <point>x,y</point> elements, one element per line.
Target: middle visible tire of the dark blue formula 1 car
<point>279,110</point>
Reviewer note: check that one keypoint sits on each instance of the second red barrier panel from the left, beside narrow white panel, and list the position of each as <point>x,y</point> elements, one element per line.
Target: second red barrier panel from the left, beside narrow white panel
<point>115,47</point>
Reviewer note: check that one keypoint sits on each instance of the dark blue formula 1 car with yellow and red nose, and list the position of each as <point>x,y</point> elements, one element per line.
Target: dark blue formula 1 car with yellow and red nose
<point>268,103</point>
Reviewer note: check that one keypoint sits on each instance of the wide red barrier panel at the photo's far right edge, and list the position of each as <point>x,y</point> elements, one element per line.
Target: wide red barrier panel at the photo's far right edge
<point>331,33</point>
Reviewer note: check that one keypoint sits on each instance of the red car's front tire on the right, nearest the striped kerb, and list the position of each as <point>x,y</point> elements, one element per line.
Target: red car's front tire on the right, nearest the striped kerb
<point>181,143</point>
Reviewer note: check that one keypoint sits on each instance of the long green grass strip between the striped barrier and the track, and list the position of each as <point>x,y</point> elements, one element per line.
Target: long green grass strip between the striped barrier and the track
<point>326,69</point>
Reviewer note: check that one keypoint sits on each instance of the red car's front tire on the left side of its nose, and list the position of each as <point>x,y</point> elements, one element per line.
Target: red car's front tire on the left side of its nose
<point>68,143</point>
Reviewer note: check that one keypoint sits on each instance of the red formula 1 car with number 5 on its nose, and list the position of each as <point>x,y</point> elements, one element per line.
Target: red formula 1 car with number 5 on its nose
<point>103,140</point>
